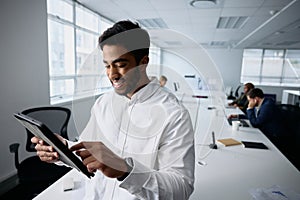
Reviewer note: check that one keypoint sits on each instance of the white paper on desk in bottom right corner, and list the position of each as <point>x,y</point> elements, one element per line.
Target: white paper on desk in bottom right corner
<point>274,193</point>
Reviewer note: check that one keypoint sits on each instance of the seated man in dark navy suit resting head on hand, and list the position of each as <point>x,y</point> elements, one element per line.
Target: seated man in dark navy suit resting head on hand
<point>265,115</point>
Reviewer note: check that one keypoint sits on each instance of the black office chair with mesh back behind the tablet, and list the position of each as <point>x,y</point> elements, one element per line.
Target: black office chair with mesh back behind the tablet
<point>32,170</point>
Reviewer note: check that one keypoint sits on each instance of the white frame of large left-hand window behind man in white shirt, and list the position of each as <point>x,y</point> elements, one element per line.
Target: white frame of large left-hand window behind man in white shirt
<point>103,24</point>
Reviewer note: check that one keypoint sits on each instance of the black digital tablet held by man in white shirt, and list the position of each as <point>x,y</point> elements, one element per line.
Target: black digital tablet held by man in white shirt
<point>42,131</point>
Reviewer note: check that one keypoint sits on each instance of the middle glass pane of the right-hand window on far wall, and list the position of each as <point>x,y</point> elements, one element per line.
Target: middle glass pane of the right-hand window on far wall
<point>273,63</point>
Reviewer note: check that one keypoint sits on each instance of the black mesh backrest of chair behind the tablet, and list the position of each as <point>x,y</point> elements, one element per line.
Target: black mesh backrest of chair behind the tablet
<point>55,118</point>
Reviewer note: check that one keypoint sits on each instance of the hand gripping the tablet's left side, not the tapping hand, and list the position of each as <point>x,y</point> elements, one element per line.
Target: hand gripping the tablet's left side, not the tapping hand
<point>44,151</point>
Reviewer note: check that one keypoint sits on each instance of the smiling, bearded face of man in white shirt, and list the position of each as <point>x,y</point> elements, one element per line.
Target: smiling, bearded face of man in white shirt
<point>121,69</point>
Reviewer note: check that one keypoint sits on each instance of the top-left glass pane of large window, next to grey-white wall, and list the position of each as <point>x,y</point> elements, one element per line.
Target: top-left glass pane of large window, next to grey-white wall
<point>62,9</point>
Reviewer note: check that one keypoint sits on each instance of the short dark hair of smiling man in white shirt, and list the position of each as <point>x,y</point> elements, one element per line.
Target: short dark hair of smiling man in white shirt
<point>128,34</point>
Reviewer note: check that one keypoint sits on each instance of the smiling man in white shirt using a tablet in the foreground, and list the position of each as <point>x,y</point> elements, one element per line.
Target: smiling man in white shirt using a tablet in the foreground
<point>139,140</point>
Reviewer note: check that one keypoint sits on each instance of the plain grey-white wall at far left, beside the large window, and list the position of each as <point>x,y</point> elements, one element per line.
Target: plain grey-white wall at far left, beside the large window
<point>24,75</point>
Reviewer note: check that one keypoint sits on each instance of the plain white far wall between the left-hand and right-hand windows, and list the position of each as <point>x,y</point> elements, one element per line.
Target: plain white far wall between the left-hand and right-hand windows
<point>227,63</point>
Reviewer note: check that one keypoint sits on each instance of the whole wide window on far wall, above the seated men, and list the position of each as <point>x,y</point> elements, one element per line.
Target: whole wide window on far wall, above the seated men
<point>273,67</point>
